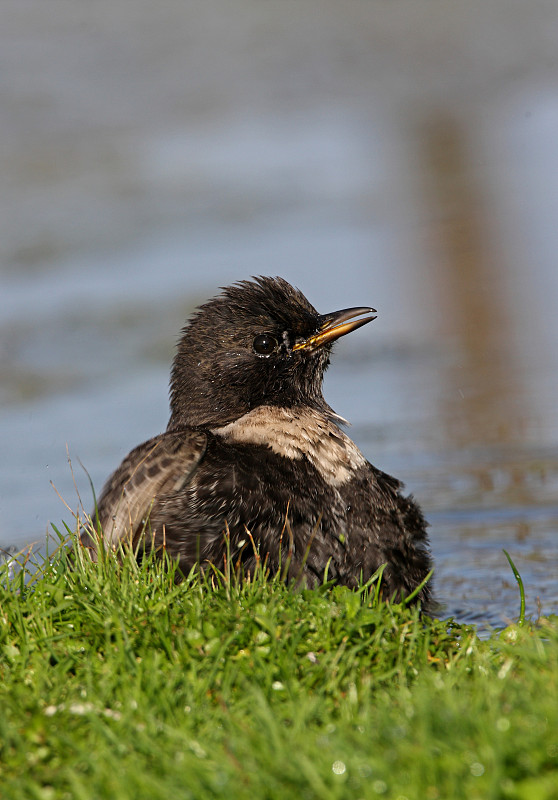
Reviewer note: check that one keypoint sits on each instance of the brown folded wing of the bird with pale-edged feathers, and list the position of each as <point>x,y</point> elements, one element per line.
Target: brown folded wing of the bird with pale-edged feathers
<point>157,467</point>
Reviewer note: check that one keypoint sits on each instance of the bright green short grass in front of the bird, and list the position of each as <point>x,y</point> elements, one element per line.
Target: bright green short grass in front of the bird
<point>117,683</point>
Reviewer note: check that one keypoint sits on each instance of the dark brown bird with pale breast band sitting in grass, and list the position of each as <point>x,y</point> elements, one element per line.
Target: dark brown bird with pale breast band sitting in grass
<point>254,467</point>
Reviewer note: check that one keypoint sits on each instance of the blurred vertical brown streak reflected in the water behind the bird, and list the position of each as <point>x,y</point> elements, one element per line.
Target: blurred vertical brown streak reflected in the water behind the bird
<point>469,278</point>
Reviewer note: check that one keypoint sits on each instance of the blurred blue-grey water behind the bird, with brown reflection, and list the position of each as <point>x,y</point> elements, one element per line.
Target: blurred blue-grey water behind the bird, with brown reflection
<point>400,155</point>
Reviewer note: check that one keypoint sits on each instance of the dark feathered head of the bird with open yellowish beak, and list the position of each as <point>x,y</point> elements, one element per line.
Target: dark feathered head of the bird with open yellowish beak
<point>258,343</point>
